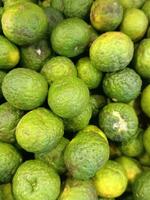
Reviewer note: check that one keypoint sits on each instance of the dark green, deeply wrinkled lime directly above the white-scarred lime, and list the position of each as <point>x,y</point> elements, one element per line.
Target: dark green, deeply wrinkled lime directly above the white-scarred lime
<point>122,86</point>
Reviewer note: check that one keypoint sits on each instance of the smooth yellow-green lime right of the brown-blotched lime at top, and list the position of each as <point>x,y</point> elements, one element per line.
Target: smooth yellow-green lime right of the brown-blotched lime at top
<point>134,24</point>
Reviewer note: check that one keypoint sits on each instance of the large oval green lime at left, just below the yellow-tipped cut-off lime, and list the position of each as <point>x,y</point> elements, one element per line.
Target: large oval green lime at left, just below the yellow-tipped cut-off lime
<point>24,89</point>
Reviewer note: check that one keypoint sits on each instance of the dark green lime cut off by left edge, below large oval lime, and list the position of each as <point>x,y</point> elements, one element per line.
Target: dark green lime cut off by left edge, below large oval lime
<point>10,117</point>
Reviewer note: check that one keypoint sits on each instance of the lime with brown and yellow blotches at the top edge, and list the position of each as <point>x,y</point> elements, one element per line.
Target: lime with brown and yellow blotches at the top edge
<point>106,15</point>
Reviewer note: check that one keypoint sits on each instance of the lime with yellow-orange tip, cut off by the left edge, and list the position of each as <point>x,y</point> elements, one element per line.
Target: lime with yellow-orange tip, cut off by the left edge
<point>9,56</point>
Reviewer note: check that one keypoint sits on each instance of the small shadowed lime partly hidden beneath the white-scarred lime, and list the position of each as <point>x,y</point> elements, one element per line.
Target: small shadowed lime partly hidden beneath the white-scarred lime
<point>133,147</point>
